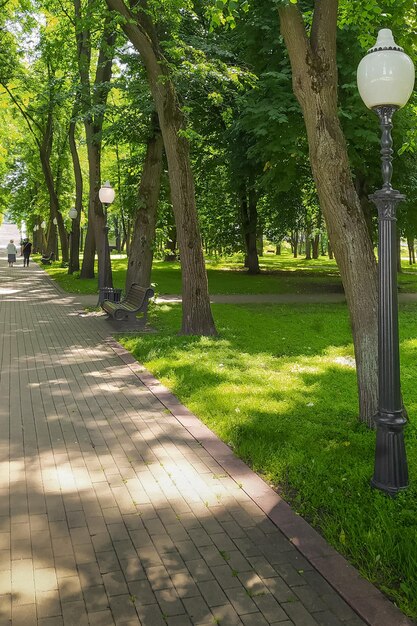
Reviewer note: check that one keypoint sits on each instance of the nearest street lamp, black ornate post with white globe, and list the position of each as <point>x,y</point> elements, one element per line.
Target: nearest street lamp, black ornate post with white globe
<point>385,82</point>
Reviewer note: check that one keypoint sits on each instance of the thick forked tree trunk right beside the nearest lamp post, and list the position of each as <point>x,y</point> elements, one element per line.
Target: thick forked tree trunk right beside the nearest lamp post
<point>313,61</point>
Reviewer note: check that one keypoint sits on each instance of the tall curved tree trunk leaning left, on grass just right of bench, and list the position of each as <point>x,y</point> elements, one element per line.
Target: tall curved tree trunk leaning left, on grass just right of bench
<point>197,317</point>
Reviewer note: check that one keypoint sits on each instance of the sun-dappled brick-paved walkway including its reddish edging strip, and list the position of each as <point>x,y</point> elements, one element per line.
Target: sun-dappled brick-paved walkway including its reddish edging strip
<point>119,508</point>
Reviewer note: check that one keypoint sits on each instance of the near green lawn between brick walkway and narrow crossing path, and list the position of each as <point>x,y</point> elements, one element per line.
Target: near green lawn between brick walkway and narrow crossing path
<point>278,385</point>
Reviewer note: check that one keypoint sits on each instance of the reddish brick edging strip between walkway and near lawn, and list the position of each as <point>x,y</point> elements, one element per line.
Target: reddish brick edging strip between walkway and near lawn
<point>365,599</point>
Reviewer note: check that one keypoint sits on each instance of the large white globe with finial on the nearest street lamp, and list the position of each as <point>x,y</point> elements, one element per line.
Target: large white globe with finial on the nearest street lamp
<point>386,74</point>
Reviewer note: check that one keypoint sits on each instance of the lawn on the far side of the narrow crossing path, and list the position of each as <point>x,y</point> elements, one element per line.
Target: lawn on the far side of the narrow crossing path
<point>280,275</point>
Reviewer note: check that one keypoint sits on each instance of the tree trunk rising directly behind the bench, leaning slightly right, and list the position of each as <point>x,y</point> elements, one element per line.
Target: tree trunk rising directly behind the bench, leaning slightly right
<point>141,250</point>
